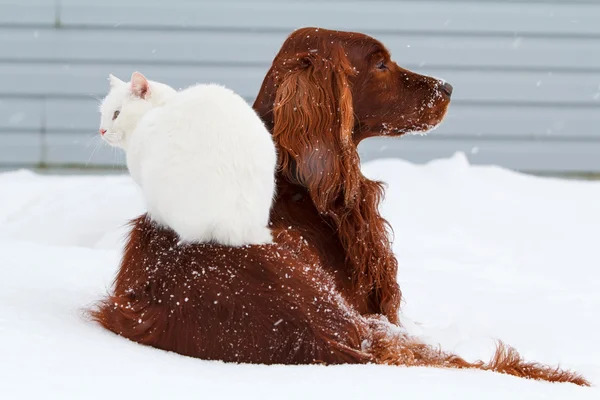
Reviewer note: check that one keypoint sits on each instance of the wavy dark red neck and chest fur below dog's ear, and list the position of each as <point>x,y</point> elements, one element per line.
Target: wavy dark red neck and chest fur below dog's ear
<point>358,234</point>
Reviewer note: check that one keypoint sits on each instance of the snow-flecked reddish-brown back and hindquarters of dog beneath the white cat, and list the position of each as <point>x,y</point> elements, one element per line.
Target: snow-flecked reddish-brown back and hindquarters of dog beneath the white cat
<point>254,304</point>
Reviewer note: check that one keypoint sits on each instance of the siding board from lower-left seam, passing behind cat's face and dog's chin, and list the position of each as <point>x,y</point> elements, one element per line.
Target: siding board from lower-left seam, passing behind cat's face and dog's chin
<point>81,117</point>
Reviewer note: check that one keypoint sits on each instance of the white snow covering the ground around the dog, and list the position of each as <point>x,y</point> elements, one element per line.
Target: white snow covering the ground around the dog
<point>485,253</point>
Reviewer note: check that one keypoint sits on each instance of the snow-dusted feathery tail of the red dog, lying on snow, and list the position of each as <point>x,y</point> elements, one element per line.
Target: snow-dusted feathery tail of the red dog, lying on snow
<point>388,346</point>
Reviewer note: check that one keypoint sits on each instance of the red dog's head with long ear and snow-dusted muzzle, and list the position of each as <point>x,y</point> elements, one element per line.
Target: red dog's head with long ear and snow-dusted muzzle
<point>328,90</point>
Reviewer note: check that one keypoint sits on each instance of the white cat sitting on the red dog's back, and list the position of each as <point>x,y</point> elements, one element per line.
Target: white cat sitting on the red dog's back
<point>203,158</point>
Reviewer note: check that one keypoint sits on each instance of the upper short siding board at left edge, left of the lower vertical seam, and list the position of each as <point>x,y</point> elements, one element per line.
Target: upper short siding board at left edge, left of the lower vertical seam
<point>18,114</point>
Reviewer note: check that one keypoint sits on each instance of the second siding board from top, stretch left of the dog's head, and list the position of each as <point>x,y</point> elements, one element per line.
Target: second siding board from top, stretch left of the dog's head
<point>153,46</point>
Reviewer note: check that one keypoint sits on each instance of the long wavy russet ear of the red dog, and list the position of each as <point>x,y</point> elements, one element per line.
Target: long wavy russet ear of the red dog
<point>312,124</point>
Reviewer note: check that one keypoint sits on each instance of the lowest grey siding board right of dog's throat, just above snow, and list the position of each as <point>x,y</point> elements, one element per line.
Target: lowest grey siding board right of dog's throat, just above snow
<point>535,156</point>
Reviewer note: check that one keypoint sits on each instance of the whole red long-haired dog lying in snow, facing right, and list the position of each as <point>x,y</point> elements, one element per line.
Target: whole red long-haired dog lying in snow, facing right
<point>325,290</point>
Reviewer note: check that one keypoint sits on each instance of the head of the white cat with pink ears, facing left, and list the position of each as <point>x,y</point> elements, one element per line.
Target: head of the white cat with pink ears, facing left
<point>126,104</point>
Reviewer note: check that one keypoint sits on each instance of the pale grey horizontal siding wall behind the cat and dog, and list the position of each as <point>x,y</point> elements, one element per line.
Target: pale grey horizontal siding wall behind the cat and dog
<point>526,73</point>
